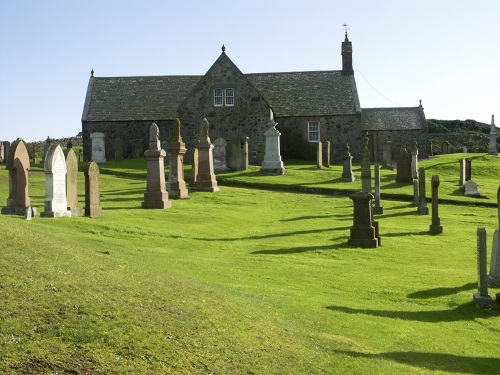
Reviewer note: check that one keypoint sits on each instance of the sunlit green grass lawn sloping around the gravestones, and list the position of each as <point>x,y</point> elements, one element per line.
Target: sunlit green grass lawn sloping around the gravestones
<point>255,279</point>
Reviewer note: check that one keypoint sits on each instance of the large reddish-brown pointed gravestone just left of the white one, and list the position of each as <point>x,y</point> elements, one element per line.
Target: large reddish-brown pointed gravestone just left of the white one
<point>18,165</point>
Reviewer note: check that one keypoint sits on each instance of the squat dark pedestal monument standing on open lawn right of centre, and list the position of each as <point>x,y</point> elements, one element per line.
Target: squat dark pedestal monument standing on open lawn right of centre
<point>363,232</point>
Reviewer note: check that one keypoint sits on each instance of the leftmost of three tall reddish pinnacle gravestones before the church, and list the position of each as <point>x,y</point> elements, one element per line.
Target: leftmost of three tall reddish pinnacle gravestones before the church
<point>156,196</point>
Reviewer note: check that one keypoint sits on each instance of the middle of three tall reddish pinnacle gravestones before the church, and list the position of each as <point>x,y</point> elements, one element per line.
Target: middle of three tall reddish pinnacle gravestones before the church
<point>176,186</point>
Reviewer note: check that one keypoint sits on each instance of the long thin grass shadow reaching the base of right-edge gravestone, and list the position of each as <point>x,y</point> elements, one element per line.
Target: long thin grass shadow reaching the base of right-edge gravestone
<point>463,312</point>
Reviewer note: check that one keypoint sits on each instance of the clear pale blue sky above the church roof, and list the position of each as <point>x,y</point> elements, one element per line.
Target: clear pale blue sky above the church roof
<point>445,52</point>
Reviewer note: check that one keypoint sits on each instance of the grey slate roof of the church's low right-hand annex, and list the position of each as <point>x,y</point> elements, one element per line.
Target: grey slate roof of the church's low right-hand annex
<point>402,118</point>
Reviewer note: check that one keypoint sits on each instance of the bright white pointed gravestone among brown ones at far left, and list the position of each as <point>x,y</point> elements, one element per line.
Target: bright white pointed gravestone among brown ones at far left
<point>56,204</point>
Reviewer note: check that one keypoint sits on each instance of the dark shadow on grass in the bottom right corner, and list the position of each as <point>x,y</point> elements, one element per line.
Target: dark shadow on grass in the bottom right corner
<point>436,361</point>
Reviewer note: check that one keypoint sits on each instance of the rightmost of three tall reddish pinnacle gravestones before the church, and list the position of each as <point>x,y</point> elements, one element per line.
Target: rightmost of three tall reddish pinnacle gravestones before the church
<point>205,178</point>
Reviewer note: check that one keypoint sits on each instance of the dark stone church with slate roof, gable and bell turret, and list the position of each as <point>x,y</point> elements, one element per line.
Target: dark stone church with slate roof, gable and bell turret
<point>308,107</point>
